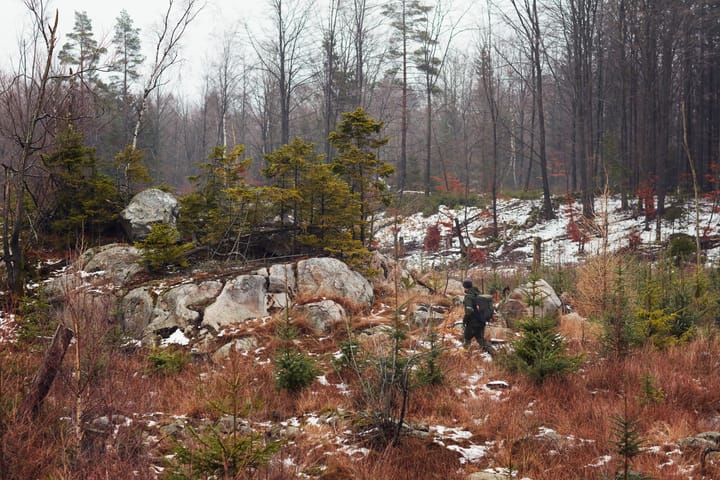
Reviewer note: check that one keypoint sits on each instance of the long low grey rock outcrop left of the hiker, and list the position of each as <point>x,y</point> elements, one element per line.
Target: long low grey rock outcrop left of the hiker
<point>318,289</point>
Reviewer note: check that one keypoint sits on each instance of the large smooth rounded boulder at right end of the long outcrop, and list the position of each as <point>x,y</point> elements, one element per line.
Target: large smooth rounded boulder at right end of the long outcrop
<point>329,277</point>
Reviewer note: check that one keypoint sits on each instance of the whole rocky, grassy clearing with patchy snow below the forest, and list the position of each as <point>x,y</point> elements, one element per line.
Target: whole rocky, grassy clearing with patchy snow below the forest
<point>303,369</point>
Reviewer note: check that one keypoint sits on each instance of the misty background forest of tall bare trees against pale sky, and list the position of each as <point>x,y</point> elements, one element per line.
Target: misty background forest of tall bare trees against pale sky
<point>556,96</point>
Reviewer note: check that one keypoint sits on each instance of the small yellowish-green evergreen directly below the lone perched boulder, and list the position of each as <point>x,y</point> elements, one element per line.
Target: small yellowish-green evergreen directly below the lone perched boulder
<point>162,248</point>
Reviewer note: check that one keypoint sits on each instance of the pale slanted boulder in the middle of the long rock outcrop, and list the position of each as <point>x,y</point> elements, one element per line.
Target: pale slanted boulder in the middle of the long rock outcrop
<point>242,298</point>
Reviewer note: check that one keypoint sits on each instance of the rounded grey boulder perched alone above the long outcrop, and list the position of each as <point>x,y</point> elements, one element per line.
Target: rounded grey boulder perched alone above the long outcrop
<point>148,207</point>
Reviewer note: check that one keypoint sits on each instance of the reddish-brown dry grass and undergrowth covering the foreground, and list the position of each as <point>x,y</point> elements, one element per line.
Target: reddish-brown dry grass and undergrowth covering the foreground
<point>562,428</point>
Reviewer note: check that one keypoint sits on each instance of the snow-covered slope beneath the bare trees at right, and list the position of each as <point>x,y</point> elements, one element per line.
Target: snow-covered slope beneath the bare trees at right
<point>558,247</point>
